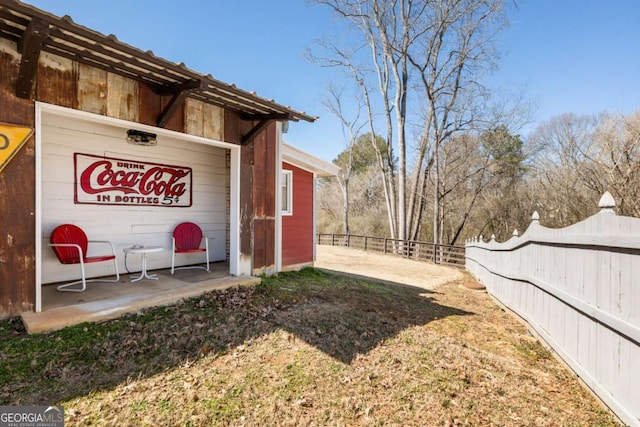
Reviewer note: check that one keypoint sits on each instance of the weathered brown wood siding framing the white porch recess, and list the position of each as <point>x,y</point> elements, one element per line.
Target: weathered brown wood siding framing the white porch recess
<point>63,82</point>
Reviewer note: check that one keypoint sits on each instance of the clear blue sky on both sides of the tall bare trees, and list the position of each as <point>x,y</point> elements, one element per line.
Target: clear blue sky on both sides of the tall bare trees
<point>580,56</point>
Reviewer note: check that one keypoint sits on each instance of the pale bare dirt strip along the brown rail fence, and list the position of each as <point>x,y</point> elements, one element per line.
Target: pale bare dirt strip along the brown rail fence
<point>384,267</point>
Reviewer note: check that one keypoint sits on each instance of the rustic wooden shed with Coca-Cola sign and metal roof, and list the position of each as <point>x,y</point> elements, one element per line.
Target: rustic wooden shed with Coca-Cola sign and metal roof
<point>72,101</point>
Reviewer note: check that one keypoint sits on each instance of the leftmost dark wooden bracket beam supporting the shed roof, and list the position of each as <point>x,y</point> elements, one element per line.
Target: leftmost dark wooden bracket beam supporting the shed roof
<point>30,45</point>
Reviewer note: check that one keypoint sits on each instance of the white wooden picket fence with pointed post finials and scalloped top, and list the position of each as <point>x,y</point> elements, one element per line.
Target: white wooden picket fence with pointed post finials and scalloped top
<point>579,288</point>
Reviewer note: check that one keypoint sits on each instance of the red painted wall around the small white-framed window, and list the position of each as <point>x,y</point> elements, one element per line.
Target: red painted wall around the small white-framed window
<point>297,229</point>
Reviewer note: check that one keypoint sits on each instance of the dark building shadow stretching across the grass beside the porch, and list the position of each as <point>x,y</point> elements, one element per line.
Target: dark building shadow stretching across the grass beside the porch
<point>340,315</point>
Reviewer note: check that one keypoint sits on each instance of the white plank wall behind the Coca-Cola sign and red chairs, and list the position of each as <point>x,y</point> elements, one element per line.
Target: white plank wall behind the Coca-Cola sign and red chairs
<point>127,225</point>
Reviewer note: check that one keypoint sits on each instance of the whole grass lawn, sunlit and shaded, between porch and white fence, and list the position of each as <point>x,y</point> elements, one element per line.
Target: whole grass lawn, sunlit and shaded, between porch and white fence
<point>301,349</point>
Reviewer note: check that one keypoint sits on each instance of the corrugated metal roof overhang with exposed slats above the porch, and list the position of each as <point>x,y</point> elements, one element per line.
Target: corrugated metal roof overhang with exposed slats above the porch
<point>81,44</point>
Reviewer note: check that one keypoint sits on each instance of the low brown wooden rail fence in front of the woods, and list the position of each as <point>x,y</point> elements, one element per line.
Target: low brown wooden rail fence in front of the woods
<point>412,249</point>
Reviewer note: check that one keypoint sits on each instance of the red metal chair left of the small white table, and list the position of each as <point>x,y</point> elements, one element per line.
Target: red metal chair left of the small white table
<point>70,244</point>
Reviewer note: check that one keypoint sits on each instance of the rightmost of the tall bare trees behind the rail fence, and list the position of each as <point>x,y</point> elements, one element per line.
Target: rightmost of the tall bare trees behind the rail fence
<point>454,52</point>
